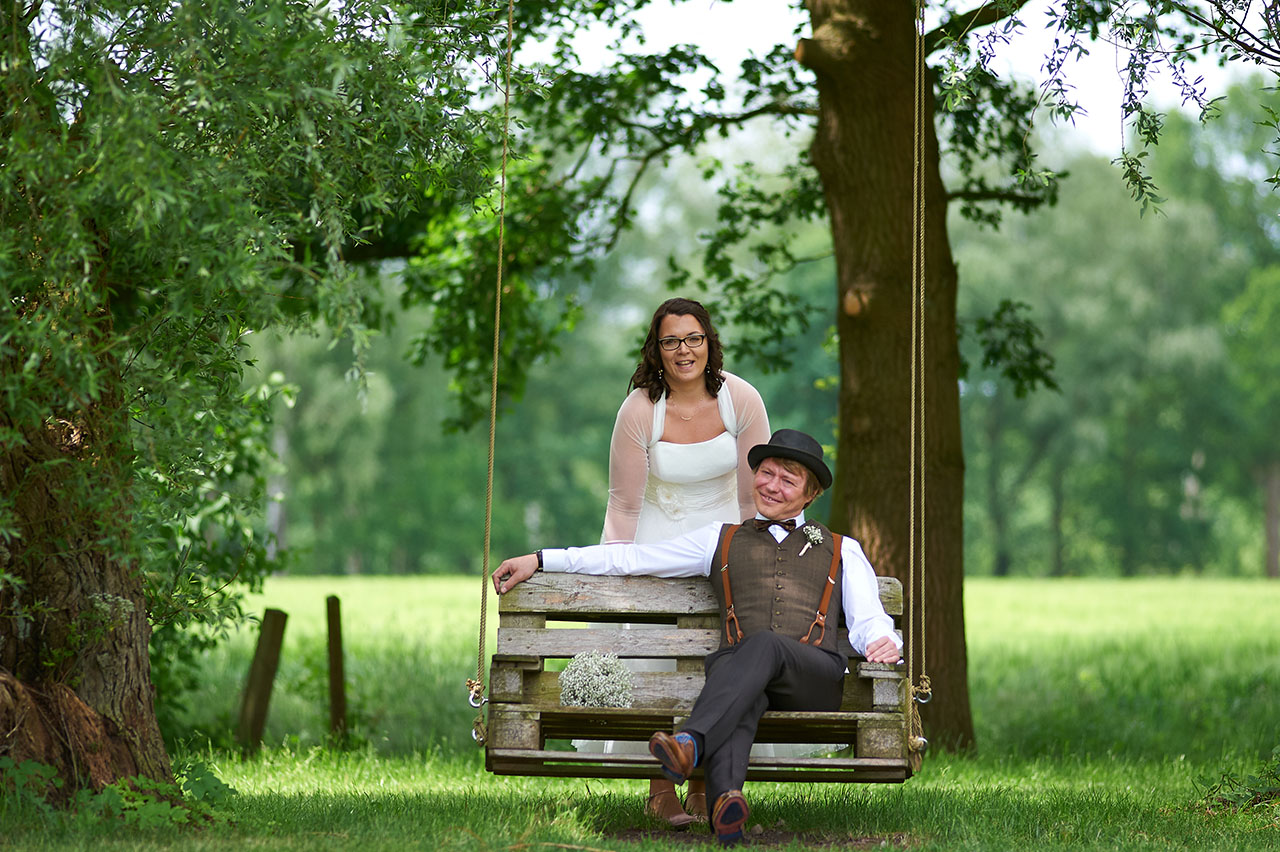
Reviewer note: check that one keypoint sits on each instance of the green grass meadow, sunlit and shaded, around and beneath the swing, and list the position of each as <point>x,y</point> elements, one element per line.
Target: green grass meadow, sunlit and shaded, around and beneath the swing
<point>1100,706</point>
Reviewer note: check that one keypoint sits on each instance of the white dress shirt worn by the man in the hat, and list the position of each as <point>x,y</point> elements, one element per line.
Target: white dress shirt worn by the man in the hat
<point>692,555</point>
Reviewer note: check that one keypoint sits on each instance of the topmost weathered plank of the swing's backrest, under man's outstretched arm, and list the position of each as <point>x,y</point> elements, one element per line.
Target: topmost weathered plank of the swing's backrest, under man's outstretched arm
<point>637,599</point>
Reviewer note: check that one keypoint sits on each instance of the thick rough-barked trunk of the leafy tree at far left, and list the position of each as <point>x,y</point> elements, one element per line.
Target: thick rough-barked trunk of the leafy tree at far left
<point>75,674</point>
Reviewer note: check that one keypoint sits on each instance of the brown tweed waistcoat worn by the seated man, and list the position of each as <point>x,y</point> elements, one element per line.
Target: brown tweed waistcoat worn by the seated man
<point>775,588</point>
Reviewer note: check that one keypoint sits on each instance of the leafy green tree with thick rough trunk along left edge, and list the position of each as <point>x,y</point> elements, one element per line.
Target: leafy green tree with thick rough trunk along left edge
<point>177,177</point>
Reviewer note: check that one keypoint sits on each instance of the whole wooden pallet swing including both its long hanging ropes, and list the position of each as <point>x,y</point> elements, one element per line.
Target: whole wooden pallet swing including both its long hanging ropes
<point>680,621</point>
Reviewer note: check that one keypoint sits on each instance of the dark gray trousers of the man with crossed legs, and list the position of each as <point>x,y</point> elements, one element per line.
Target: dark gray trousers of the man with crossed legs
<point>764,672</point>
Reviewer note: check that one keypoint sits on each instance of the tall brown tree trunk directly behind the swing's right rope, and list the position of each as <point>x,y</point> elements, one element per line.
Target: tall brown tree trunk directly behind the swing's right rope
<point>863,54</point>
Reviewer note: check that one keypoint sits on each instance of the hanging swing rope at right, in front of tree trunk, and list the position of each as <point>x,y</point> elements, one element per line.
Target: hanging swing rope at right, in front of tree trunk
<point>924,690</point>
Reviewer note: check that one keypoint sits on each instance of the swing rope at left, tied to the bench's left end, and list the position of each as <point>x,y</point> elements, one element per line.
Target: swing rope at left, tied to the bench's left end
<point>476,688</point>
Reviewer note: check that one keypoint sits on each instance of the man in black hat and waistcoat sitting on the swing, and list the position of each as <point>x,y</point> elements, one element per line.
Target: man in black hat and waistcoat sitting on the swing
<point>780,580</point>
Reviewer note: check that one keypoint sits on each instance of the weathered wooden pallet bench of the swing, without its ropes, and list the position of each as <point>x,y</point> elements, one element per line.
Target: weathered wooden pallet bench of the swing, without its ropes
<point>554,617</point>
